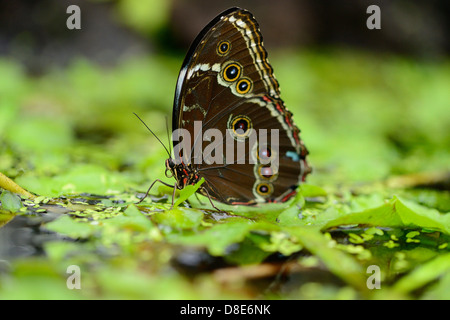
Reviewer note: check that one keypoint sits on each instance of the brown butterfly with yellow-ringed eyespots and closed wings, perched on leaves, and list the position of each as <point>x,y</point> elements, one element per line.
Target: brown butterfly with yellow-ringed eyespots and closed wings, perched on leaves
<point>226,86</point>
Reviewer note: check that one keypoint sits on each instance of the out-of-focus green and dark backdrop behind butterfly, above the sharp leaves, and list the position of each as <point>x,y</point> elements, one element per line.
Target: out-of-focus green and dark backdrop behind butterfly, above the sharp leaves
<point>370,103</point>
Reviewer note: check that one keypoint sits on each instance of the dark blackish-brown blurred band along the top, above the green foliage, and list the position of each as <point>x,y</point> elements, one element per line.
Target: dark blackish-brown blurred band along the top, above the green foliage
<point>35,33</point>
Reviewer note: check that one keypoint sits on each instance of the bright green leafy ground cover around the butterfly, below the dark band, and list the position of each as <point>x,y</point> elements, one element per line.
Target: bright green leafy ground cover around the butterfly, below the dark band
<point>377,131</point>
